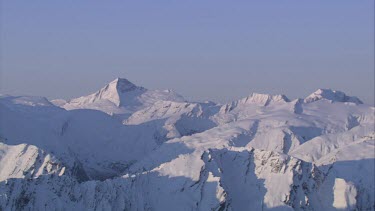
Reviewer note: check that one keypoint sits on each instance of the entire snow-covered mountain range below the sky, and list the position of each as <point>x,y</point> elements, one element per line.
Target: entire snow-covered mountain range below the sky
<point>129,148</point>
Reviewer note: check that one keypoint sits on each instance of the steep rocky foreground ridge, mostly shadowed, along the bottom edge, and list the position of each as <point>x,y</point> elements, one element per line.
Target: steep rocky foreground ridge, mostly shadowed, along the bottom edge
<point>228,180</point>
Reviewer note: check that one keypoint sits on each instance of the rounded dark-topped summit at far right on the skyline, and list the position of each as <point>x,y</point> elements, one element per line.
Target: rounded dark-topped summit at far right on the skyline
<point>333,95</point>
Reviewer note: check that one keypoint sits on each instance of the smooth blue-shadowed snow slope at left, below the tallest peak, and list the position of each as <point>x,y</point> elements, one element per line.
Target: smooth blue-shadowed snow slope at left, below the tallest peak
<point>101,145</point>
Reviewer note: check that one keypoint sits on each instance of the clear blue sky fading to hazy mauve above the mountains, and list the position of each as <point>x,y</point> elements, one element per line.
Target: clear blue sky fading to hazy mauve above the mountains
<point>210,49</point>
